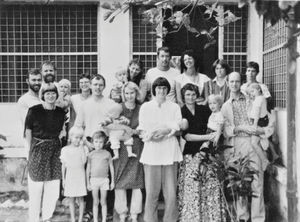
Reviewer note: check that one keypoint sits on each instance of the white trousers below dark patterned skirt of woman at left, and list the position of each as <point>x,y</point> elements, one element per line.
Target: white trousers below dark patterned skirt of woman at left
<point>45,192</point>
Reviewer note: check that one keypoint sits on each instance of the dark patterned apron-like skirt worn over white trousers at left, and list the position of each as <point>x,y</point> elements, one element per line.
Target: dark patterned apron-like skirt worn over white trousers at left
<point>44,163</point>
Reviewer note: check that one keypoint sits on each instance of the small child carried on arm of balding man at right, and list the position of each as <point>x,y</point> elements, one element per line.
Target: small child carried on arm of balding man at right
<point>258,116</point>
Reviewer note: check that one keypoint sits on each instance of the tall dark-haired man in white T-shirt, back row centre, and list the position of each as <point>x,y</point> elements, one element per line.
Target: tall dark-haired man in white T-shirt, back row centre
<point>163,69</point>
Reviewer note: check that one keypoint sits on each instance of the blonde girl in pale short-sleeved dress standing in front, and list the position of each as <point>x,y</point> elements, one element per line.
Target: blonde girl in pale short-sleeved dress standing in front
<point>73,158</point>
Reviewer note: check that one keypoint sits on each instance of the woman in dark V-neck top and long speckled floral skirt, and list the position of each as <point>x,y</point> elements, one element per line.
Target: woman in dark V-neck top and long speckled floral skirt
<point>199,197</point>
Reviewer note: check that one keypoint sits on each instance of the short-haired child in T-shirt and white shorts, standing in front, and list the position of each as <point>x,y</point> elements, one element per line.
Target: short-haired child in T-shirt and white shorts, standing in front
<point>98,165</point>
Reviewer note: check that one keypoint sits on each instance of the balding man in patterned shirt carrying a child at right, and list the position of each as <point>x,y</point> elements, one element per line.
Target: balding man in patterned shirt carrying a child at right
<point>238,131</point>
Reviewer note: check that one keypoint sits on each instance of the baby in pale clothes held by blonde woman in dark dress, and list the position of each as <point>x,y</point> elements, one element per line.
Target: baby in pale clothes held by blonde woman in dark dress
<point>117,128</point>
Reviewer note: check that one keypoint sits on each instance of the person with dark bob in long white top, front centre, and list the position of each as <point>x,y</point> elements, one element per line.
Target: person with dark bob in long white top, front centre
<point>158,121</point>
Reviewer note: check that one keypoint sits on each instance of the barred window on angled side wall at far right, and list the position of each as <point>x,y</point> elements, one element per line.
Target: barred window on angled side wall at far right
<point>275,62</point>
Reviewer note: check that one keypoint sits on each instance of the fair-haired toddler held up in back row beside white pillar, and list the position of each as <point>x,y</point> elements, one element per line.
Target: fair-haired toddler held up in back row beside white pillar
<point>116,91</point>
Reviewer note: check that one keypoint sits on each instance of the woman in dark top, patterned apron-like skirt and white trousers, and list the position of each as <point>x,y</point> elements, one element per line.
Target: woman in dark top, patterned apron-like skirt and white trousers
<point>43,125</point>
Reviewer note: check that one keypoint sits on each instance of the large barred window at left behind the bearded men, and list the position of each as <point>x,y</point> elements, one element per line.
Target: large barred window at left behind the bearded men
<point>31,34</point>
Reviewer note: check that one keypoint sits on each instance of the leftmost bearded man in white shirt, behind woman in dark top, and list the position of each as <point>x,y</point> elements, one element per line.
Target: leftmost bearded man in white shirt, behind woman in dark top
<point>31,97</point>
